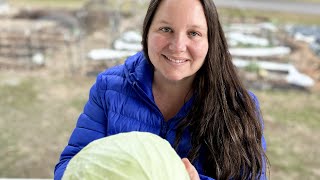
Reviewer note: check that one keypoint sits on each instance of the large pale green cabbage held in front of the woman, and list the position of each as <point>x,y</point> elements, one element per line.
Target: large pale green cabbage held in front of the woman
<point>127,156</point>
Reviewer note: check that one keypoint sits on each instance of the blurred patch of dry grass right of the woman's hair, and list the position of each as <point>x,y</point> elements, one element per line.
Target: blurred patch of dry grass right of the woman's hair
<point>292,129</point>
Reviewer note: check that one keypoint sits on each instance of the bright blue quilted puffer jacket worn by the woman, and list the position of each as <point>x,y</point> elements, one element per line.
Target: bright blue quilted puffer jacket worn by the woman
<point>121,100</point>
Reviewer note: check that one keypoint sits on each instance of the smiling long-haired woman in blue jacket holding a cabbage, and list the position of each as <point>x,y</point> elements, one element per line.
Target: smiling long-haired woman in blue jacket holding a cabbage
<point>184,88</point>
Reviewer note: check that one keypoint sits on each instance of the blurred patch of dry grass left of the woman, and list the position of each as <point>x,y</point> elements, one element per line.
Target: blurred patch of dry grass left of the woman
<point>38,112</point>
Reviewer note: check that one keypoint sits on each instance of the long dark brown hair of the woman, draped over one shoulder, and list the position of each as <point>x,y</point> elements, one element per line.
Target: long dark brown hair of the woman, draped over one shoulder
<point>223,119</point>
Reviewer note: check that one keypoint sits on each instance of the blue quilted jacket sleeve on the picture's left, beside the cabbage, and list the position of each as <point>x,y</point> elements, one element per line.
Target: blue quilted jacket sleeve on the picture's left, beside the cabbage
<point>90,126</point>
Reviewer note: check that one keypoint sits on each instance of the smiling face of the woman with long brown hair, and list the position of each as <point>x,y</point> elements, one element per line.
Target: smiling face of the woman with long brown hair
<point>177,39</point>
